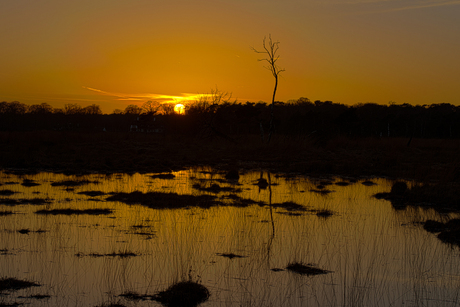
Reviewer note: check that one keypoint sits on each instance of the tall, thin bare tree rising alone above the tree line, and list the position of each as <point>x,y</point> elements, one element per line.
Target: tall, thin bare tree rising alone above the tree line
<point>270,51</point>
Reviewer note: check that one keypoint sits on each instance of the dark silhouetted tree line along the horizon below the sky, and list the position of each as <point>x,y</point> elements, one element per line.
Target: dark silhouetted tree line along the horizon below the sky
<point>219,117</point>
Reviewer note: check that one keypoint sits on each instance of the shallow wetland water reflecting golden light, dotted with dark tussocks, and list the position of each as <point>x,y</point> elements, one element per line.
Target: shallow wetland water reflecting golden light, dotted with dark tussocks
<point>375,255</point>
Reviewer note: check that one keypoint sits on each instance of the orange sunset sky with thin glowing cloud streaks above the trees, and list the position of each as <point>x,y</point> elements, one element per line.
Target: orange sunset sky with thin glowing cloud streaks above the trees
<point>119,52</point>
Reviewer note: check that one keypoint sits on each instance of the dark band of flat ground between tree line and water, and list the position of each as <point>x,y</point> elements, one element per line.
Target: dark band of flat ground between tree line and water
<point>424,160</point>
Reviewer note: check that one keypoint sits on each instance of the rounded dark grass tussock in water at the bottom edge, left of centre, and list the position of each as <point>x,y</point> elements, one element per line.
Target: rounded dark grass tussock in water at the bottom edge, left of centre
<point>183,294</point>
